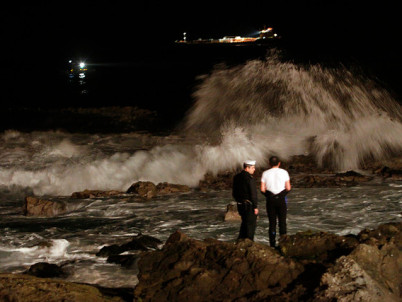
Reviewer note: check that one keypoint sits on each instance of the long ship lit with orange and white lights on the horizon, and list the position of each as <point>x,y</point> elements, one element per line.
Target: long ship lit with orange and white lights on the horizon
<point>265,35</point>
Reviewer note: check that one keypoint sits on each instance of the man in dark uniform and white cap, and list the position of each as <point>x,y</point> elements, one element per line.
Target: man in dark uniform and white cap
<point>245,193</point>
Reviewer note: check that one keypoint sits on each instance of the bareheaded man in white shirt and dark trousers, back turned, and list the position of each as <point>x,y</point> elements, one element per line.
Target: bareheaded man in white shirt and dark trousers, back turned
<point>275,184</point>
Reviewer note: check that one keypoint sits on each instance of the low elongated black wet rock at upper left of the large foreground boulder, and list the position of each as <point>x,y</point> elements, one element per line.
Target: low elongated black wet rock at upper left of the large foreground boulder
<point>138,243</point>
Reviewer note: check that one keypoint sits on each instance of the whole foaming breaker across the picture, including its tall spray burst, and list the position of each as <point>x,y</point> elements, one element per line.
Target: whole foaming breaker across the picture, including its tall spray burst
<point>249,111</point>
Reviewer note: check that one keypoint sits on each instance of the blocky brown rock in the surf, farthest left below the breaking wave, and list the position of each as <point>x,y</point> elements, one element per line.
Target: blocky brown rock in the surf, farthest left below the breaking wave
<point>34,206</point>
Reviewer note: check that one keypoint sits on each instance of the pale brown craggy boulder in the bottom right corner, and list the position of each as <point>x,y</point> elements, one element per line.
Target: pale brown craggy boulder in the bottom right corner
<point>367,274</point>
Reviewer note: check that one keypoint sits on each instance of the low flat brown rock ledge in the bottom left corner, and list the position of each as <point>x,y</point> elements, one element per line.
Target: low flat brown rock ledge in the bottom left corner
<point>22,288</point>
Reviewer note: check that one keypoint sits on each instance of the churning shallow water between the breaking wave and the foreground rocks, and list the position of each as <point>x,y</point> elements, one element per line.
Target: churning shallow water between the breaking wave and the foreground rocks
<point>198,215</point>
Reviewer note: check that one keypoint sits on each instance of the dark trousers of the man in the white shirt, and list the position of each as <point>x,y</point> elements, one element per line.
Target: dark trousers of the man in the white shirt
<point>276,209</point>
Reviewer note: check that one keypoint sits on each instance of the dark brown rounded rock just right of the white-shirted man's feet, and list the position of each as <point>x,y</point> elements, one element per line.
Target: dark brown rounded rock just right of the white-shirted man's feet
<point>317,246</point>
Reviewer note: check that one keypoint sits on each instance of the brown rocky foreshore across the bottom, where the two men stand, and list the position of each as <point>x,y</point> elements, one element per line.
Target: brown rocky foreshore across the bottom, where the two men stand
<point>307,266</point>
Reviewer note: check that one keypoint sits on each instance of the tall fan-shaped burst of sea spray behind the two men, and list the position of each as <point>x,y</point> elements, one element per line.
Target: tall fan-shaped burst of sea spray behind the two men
<point>341,118</point>
